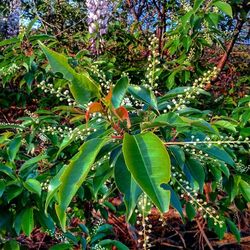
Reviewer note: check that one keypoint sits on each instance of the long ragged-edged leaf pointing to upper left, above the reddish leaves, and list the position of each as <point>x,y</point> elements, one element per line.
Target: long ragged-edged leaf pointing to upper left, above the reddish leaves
<point>82,87</point>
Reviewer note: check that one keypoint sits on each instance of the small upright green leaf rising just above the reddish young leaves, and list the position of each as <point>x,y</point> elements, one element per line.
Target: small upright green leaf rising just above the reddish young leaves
<point>119,91</point>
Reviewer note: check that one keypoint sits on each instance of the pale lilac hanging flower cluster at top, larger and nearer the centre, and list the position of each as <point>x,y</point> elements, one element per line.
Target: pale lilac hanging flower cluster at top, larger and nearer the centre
<point>98,16</point>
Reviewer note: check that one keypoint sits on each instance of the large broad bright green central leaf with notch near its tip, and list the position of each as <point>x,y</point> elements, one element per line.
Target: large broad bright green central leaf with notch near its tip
<point>149,163</point>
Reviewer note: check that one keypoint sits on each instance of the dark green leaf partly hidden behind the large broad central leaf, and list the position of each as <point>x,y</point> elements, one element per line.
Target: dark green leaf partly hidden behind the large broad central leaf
<point>126,185</point>
